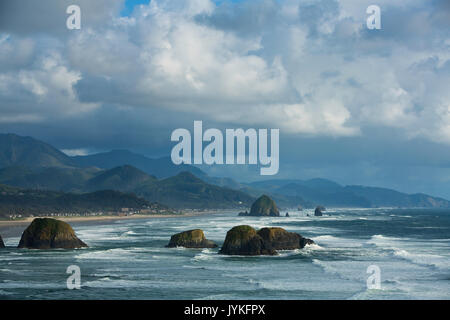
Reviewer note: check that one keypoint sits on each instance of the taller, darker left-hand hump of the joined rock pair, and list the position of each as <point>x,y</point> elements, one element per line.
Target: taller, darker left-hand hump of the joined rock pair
<point>244,240</point>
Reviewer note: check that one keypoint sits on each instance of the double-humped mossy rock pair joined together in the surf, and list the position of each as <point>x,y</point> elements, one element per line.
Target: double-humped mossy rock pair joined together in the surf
<point>244,240</point>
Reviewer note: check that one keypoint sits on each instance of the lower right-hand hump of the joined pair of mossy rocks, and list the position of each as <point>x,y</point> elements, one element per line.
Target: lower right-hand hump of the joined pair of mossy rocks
<point>280,239</point>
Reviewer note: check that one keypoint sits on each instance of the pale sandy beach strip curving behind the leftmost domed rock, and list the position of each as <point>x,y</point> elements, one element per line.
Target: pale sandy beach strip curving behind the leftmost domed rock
<point>14,228</point>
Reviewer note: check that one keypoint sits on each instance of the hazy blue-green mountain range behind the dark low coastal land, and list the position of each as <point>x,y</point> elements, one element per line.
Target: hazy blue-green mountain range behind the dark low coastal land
<point>29,163</point>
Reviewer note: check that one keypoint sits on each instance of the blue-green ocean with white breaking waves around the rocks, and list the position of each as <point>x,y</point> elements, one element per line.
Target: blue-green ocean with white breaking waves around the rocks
<point>127,259</point>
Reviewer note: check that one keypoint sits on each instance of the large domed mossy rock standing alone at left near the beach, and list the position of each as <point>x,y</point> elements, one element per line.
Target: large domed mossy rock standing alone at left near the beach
<point>46,233</point>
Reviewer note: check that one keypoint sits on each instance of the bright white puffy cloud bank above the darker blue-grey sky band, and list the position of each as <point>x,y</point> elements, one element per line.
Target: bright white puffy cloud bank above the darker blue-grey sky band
<point>165,56</point>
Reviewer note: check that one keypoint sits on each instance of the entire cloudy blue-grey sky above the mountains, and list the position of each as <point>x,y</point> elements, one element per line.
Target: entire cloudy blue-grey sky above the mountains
<point>354,105</point>
